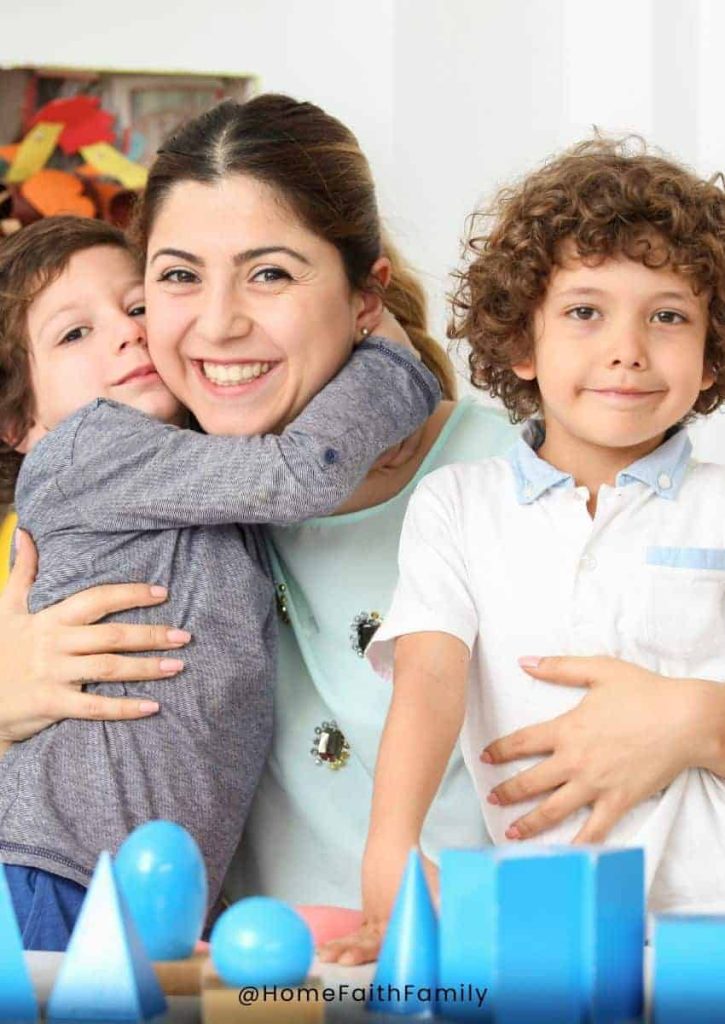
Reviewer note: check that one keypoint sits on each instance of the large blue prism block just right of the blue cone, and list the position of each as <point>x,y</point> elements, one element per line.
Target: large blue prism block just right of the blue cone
<point>548,931</point>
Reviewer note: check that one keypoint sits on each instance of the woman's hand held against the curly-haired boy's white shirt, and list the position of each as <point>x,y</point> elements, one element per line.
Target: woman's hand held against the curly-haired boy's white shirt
<point>630,737</point>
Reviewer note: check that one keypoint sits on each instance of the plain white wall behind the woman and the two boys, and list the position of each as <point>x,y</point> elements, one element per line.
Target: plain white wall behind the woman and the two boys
<point>449,98</point>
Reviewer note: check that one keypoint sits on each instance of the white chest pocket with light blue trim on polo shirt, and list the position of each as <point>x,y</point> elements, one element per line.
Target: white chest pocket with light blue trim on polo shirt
<point>685,596</point>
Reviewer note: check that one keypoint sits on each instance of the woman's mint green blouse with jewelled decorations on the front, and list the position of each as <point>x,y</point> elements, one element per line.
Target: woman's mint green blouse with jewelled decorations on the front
<point>307,833</point>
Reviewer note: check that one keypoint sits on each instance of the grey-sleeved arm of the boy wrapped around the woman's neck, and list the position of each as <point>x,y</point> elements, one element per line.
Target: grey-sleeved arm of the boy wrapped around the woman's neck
<point>131,473</point>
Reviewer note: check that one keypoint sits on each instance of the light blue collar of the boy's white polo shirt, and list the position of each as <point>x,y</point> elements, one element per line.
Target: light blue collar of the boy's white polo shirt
<point>663,471</point>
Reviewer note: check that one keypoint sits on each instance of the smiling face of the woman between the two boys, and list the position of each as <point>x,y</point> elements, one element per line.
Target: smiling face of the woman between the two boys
<point>249,314</point>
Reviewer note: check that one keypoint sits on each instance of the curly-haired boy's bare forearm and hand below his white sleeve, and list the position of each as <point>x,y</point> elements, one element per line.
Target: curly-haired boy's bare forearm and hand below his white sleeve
<point>423,724</point>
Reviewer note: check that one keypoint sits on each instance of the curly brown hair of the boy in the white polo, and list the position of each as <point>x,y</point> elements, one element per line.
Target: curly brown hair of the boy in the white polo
<point>609,198</point>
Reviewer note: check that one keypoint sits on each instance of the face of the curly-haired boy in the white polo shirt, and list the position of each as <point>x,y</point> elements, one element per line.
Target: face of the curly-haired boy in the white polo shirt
<point>619,352</point>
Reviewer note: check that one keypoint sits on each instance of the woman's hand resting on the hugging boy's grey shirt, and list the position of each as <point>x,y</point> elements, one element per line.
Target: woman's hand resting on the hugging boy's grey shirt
<point>48,657</point>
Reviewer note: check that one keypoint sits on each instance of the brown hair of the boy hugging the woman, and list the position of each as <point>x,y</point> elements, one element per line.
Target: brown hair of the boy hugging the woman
<point>30,261</point>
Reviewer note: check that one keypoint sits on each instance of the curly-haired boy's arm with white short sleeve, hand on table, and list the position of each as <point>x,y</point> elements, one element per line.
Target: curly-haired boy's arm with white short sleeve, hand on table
<point>434,624</point>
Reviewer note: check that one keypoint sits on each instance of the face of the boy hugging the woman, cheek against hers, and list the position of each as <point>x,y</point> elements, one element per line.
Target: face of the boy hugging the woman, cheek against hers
<point>88,340</point>
